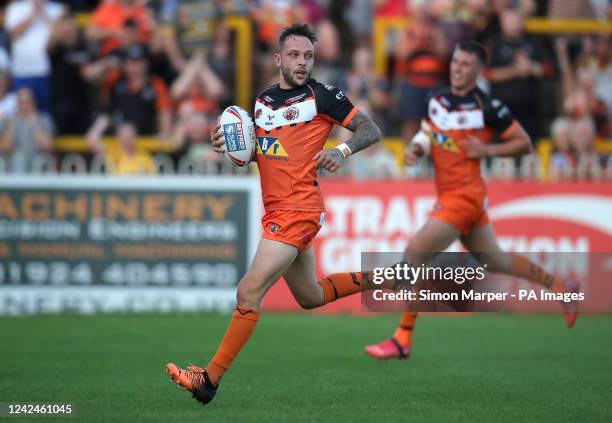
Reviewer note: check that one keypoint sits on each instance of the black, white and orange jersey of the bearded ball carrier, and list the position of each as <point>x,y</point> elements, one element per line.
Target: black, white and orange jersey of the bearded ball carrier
<point>291,127</point>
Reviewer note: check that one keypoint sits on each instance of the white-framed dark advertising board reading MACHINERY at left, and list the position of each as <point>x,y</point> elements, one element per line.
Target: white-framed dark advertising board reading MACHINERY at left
<point>131,244</point>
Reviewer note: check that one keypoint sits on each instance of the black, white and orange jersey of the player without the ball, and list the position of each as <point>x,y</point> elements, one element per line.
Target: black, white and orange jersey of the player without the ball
<point>449,120</point>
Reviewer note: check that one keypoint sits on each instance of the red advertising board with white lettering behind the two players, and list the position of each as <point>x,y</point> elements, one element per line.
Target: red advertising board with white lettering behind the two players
<point>382,216</point>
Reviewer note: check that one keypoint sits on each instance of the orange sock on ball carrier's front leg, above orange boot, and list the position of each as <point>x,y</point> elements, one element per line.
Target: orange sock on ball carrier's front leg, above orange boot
<point>236,336</point>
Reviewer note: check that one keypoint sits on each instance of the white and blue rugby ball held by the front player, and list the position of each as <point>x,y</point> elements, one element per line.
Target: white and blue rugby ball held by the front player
<point>239,133</point>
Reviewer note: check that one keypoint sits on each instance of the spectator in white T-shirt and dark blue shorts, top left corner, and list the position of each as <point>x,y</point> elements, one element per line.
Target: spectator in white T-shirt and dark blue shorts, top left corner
<point>29,23</point>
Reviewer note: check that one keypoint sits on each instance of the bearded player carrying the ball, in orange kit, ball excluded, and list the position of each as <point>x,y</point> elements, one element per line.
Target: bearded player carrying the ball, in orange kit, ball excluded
<point>293,120</point>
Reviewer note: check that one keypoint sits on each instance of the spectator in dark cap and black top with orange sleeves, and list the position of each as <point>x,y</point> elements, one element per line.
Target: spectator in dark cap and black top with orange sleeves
<point>133,95</point>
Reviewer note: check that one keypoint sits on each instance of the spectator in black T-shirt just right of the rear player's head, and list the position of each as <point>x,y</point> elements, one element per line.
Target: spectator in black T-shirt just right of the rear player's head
<point>517,64</point>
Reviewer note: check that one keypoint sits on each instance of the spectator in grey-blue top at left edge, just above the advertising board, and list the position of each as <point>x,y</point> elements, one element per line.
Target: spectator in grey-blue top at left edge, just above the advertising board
<point>26,134</point>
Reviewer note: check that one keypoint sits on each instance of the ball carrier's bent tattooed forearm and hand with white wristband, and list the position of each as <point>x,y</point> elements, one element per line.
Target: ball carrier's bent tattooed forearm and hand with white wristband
<point>366,133</point>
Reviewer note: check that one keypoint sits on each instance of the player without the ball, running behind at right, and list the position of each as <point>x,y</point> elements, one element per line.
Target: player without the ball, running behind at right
<point>458,125</point>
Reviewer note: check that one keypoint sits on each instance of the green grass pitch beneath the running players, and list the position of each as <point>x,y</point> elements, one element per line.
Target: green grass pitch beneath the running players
<point>303,367</point>
